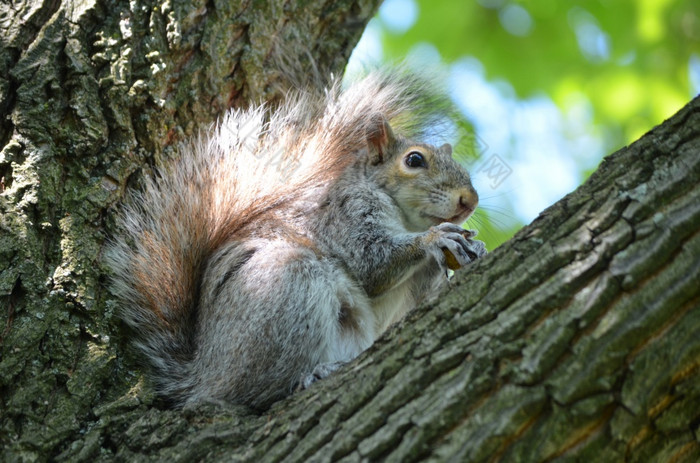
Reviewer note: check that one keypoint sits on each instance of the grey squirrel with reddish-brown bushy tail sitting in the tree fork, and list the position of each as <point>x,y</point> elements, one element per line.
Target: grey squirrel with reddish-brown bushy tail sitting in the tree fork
<point>283,242</point>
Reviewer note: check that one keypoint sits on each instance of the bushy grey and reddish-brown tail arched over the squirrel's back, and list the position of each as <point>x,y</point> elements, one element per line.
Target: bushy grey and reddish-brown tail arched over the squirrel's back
<point>254,161</point>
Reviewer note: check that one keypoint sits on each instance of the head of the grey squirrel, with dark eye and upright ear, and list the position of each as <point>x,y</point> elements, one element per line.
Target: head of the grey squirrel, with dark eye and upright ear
<point>427,184</point>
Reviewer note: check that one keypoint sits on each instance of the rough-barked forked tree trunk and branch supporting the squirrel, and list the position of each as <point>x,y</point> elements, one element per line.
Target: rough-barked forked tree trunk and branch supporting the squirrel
<point>576,340</point>
